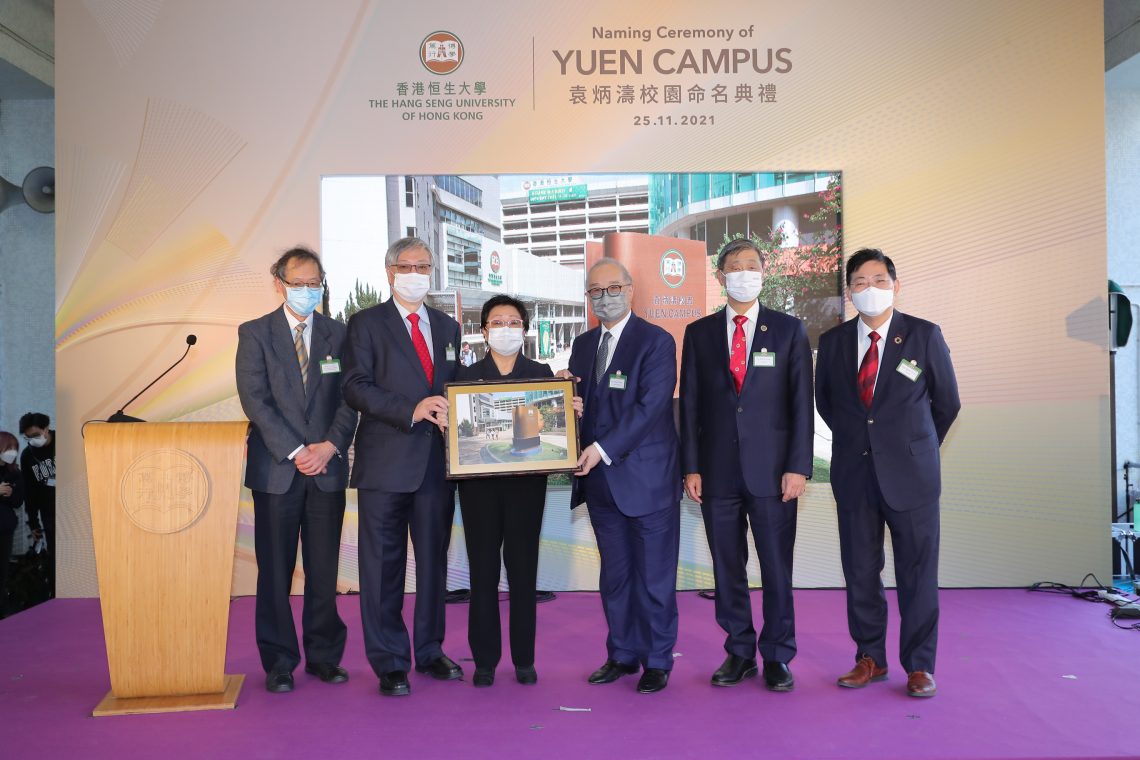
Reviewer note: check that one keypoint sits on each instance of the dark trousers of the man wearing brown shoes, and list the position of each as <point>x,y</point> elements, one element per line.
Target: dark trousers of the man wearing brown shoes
<point>915,540</point>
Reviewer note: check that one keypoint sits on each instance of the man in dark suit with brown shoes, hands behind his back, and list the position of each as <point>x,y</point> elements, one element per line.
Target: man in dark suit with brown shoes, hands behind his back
<point>886,388</point>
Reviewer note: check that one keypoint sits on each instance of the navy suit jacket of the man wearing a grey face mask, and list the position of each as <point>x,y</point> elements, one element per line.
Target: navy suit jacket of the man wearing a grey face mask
<point>634,427</point>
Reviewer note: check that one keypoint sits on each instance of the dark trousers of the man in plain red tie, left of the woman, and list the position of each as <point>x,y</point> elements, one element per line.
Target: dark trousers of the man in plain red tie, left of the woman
<point>387,518</point>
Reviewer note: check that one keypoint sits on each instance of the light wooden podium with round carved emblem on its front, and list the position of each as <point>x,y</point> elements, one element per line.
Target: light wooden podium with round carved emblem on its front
<point>165,501</point>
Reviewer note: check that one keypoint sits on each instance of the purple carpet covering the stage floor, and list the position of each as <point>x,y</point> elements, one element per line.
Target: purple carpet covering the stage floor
<point>1020,675</point>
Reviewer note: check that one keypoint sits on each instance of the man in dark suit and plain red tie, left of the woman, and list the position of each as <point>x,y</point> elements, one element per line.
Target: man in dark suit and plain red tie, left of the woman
<point>400,356</point>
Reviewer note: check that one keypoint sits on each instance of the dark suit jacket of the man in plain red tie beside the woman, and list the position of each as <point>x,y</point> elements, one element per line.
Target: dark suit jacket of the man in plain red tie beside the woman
<point>385,381</point>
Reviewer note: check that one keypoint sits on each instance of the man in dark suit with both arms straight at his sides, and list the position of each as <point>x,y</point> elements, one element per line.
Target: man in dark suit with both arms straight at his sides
<point>746,430</point>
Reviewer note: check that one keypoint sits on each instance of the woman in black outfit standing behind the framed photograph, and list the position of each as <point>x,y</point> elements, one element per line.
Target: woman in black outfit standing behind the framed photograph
<point>503,513</point>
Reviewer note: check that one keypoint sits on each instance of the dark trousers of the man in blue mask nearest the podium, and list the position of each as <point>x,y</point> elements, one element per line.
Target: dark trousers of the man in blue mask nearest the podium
<point>316,517</point>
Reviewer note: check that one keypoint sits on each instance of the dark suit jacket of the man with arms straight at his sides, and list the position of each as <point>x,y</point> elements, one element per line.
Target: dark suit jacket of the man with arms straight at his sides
<point>767,430</point>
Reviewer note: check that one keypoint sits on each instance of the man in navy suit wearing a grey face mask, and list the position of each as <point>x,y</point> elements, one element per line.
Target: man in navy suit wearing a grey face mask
<point>630,477</point>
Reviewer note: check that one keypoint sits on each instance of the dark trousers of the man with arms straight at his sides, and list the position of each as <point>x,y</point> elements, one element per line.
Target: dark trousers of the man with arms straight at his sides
<point>773,526</point>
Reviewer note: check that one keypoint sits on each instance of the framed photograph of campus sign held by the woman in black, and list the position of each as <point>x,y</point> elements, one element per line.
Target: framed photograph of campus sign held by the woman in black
<point>511,428</point>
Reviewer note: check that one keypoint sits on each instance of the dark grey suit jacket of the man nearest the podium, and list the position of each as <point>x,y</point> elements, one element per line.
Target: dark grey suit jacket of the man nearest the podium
<point>283,414</point>
